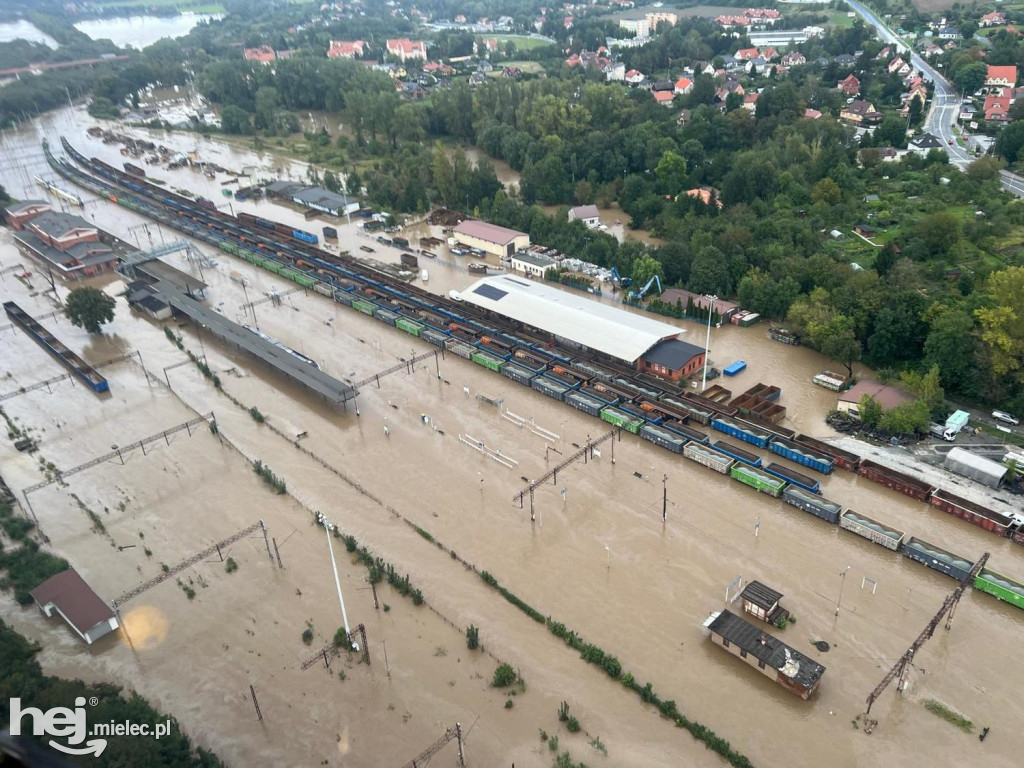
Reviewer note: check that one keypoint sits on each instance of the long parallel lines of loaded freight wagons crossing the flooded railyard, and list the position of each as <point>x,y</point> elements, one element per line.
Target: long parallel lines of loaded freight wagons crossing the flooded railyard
<point>612,393</point>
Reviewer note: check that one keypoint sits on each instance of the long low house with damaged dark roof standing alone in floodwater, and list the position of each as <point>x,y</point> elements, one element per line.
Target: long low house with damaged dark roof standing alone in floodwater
<point>776,660</point>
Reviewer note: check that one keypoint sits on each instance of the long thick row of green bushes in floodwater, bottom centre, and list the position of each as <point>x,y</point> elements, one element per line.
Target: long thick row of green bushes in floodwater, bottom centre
<point>612,666</point>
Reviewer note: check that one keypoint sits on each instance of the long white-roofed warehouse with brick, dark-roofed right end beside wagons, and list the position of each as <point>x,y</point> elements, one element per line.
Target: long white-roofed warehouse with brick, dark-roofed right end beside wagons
<point>649,346</point>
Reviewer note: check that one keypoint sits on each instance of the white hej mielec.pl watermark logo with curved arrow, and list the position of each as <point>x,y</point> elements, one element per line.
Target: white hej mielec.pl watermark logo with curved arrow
<point>71,727</point>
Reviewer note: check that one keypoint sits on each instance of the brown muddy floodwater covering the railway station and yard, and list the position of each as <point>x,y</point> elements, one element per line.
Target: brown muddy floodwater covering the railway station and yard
<point>599,558</point>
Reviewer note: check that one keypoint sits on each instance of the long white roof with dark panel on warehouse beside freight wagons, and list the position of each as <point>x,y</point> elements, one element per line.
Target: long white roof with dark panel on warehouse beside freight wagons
<point>600,327</point>
